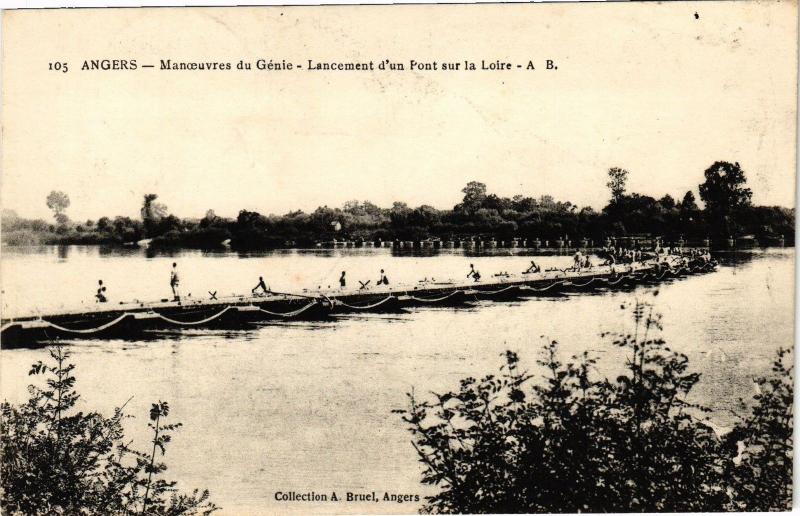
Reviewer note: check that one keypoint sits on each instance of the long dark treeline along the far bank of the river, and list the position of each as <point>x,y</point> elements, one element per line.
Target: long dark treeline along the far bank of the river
<point>728,213</point>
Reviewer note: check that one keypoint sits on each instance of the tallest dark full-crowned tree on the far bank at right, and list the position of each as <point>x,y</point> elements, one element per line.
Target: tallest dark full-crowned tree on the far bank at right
<point>725,196</point>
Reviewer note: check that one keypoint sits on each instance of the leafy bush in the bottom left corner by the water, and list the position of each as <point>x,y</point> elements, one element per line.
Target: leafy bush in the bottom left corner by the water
<point>59,461</point>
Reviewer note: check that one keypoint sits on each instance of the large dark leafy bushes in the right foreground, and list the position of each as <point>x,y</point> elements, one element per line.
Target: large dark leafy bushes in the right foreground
<point>578,443</point>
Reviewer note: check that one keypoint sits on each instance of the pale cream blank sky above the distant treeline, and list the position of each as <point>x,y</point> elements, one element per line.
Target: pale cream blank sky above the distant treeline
<point>662,90</point>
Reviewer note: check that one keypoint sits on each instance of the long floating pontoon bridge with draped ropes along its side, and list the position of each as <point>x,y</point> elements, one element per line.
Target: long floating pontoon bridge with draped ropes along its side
<point>137,320</point>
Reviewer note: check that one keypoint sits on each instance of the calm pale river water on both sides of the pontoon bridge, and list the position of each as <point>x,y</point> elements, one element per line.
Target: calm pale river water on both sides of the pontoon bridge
<point>306,406</point>
